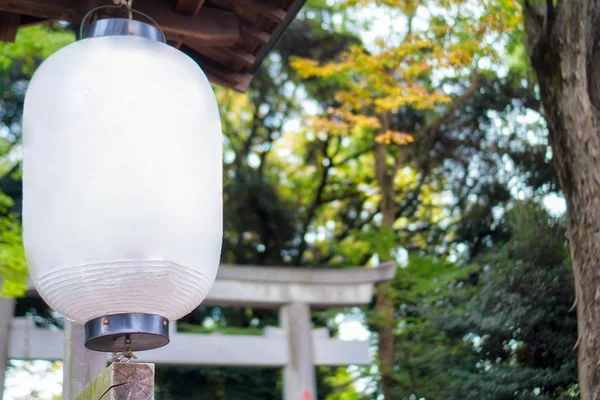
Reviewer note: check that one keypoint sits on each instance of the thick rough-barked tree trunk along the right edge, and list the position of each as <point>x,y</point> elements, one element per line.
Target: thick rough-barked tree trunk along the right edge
<point>562,41</point>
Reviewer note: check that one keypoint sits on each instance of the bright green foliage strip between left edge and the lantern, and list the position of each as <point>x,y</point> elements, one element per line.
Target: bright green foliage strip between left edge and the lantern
<point>18,61</point>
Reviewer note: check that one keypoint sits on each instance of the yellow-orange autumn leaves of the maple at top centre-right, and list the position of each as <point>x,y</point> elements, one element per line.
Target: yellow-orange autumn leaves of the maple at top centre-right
<point>423,70</point>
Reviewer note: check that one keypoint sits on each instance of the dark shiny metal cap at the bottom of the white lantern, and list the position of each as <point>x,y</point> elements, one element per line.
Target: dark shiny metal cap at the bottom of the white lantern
<point>126,332</point>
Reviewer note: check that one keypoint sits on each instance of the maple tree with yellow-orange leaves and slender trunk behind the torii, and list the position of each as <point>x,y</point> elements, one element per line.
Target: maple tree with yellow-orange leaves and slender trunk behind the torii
<point>431,69</point>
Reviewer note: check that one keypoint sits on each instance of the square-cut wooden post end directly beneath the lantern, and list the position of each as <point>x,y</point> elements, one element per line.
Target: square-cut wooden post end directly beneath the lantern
<point>122,381</point>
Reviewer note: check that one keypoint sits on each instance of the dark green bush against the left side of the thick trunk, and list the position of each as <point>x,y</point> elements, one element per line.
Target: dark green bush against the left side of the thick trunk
<point>521,322</point>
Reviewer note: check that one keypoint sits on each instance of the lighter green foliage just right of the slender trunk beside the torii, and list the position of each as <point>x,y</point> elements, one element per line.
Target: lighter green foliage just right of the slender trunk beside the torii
<point>424,354</point>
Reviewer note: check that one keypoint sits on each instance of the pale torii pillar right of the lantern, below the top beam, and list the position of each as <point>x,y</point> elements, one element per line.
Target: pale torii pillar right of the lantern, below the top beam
<point>299,381</point>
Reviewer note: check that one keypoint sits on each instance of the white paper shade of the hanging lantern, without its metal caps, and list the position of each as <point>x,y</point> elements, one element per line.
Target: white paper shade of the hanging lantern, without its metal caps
<point>122,180</point>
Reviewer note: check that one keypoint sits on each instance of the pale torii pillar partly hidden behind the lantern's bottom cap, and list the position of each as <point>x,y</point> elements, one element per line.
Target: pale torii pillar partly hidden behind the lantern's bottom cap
<point>81,366</point>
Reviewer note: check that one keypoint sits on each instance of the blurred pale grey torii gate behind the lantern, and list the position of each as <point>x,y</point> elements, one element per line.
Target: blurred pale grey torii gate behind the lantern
<point>295,345</point>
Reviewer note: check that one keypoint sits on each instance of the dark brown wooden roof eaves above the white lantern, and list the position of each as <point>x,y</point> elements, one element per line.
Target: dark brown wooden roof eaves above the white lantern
<point>228,38</point>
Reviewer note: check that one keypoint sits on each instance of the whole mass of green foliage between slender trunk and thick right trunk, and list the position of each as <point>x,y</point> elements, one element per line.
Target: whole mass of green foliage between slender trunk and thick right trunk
<point>501,328</point>
